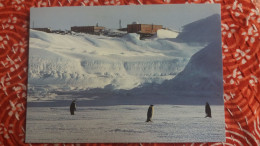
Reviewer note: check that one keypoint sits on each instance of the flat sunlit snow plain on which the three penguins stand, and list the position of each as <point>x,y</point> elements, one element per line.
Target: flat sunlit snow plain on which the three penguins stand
<point>125,124</point>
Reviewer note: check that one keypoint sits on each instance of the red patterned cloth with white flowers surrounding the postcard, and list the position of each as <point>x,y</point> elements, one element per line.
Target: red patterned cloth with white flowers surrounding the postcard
<point>241,56</point>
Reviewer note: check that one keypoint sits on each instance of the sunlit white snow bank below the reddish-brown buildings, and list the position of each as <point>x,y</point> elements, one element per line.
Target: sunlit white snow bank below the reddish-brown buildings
<point>83,61</point>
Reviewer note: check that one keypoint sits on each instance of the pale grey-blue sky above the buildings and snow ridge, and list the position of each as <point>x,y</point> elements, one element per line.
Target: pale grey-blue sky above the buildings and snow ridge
<point>172,16</point>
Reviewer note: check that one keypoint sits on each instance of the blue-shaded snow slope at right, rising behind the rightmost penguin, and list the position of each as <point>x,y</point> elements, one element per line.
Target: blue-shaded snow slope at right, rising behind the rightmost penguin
<point>203,72</point>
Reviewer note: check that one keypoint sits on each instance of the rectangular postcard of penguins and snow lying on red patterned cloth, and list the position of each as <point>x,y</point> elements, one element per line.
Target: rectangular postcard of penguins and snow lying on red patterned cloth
<point>125,74</point>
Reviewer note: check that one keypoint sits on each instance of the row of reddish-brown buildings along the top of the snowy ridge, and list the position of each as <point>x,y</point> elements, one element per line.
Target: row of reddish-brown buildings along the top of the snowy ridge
<point>145,30</point>
